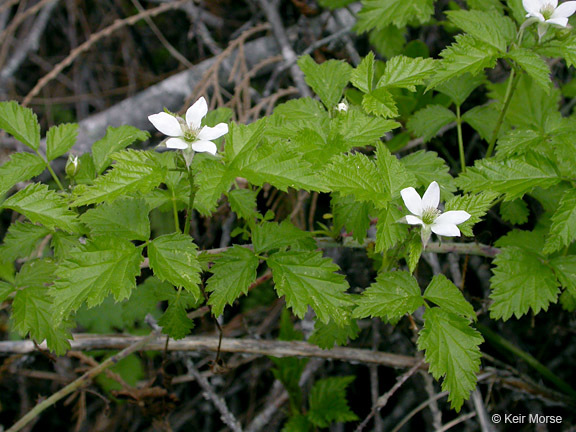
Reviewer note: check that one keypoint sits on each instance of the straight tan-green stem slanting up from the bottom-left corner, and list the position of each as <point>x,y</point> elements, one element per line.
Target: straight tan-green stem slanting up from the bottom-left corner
<point>80,382</point>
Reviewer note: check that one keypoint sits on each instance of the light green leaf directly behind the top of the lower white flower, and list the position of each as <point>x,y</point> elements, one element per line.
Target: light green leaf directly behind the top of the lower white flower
<point>426,167</point>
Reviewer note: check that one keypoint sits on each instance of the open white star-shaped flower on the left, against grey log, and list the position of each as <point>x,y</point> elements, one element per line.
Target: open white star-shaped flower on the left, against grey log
<point>189,134</point>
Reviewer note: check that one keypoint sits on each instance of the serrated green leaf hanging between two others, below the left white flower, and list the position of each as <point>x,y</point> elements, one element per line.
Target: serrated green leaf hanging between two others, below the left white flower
<point>232,274</point>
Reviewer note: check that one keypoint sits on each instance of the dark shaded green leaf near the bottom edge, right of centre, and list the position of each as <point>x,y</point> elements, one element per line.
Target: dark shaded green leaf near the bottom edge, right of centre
<point>328,402</point>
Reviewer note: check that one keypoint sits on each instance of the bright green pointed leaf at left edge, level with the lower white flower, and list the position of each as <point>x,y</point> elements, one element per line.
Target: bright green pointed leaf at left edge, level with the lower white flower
<point>42,205</point>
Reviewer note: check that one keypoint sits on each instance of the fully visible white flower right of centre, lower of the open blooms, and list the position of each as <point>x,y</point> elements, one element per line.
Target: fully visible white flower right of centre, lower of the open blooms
<point>425,212</point>
